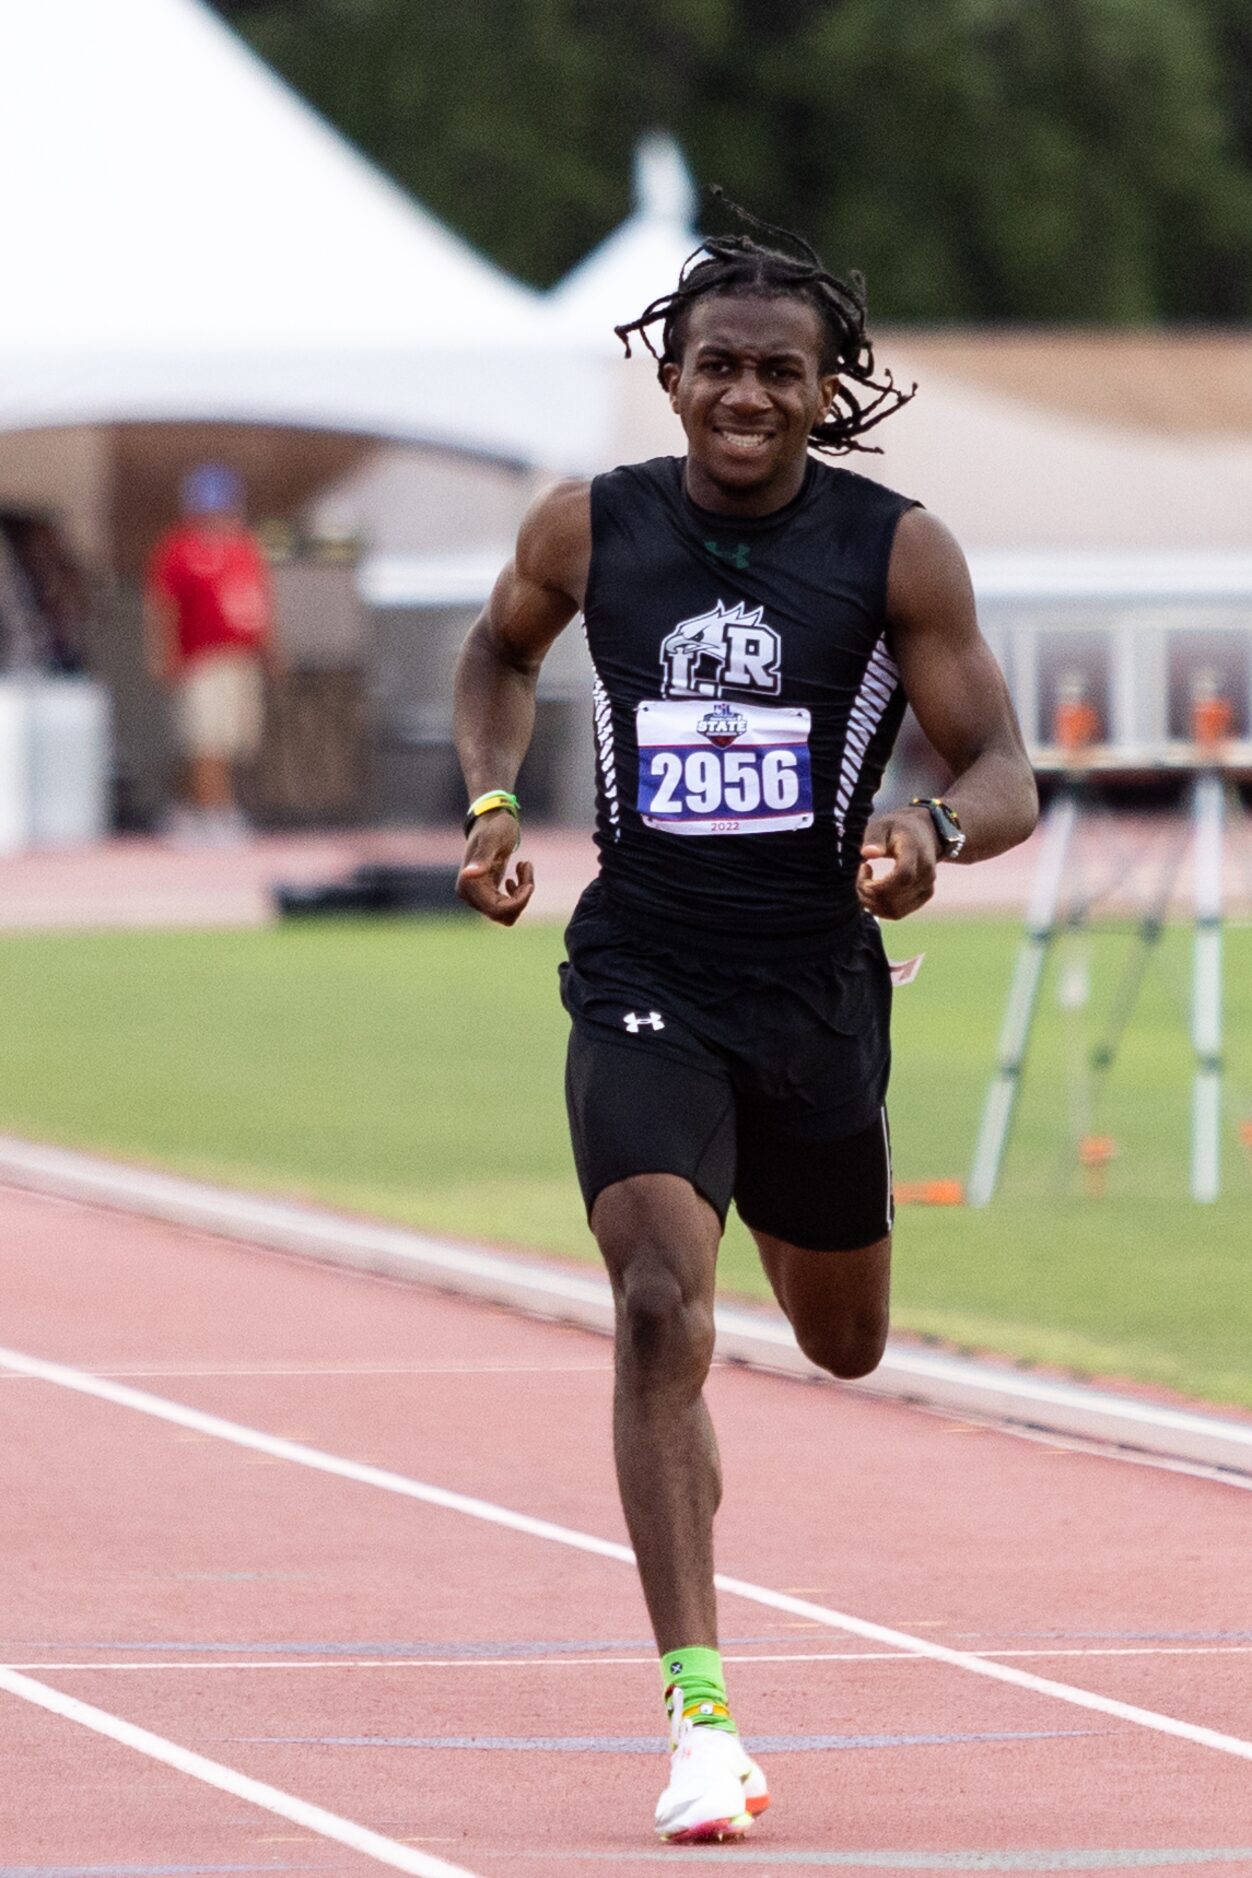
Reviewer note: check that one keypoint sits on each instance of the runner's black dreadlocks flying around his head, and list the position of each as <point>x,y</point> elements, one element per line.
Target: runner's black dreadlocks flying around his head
<point>735,266</point>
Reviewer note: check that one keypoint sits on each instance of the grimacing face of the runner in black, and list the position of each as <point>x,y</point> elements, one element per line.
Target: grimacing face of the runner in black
<point>750,390</point>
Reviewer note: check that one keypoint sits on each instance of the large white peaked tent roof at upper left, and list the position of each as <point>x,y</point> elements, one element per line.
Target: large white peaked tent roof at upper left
<point>185,239</point>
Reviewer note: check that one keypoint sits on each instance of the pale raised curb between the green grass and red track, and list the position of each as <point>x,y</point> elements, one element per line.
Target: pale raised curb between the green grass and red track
<point>538,1289</point>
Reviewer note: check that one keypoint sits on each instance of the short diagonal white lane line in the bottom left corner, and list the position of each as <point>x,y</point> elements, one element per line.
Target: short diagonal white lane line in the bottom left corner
<point>228,1781</point>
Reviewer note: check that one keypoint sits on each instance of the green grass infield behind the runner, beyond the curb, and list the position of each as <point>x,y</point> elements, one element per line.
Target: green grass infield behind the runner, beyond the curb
<point>414,1071</point>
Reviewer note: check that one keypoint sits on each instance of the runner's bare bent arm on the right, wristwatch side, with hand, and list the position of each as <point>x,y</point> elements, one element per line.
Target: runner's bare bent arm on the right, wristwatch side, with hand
<point>962,703</point>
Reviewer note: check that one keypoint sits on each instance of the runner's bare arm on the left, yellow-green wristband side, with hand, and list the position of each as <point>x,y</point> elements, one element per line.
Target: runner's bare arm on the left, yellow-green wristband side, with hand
<point>495,715</point>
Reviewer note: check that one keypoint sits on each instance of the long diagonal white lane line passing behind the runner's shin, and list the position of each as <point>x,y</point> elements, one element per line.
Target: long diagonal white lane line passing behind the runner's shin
<point>502,1516</point>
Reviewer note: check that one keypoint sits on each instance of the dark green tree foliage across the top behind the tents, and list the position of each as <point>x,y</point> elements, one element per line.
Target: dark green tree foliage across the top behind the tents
<point>1052,161</point>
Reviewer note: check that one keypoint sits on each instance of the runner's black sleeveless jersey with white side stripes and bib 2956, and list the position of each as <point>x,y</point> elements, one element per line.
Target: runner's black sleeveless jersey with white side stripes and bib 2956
<point>746,700</point>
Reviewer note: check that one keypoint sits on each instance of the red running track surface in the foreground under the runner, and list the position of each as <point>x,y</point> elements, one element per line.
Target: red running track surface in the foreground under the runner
<point>337,1640</point>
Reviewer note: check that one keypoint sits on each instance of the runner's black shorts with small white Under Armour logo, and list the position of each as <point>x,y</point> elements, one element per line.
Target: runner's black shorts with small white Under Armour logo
<point>754,1079</point>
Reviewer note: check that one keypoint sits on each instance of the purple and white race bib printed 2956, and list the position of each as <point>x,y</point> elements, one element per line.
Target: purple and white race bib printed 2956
<point>724,769</point>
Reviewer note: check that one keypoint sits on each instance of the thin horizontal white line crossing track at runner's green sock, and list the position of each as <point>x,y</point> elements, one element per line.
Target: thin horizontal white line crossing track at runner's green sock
<point>590,1663</point>
